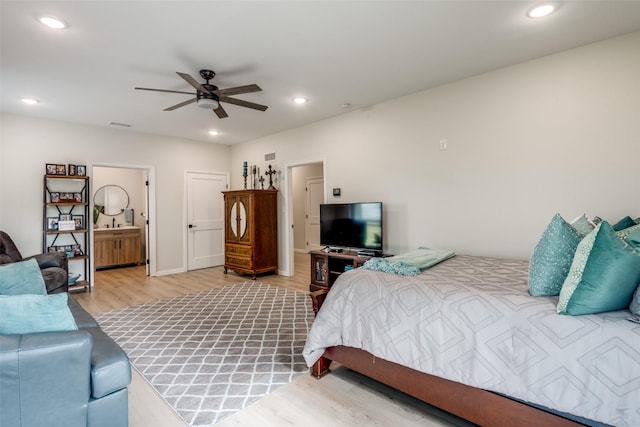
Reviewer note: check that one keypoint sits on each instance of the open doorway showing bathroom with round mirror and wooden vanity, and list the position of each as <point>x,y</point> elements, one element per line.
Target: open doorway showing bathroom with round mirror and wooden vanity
<point>120,212</point>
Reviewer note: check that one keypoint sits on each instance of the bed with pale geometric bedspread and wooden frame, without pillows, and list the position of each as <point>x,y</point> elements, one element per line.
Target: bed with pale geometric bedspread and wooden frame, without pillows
<point>466,336</point>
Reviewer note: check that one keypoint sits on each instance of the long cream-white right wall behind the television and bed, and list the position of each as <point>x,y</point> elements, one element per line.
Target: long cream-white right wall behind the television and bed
<point>557,134</point>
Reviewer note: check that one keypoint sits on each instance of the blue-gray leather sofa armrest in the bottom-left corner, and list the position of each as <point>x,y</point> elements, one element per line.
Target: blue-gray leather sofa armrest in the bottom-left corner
<point>45,378</point>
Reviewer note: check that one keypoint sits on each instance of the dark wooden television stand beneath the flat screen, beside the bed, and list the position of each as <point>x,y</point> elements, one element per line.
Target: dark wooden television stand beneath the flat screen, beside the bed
<point>327,266</point>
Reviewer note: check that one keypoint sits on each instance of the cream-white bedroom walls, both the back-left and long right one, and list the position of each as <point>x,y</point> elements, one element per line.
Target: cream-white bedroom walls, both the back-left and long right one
<point>557,134</point>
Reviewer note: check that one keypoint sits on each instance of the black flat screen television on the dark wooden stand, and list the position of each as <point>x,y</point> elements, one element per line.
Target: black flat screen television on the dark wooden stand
<point>351,225</point>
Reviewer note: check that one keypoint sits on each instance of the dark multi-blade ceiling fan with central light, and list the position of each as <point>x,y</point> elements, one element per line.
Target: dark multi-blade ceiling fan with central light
<point>209,96</point>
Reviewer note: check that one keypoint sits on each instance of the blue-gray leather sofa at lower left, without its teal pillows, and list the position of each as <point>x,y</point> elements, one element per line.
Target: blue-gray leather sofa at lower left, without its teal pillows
<point>74,378</point>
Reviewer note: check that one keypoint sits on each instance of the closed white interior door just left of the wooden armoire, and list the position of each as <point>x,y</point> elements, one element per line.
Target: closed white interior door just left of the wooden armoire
<point>205,216</point>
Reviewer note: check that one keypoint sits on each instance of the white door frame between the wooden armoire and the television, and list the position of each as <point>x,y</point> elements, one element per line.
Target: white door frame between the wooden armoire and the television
<point>287,235</point>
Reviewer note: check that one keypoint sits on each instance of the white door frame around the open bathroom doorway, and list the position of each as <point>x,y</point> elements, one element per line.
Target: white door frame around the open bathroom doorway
<point>151,244</point>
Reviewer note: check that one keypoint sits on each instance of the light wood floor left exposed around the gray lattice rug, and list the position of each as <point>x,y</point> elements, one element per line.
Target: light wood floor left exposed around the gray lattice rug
<point>343,398</point>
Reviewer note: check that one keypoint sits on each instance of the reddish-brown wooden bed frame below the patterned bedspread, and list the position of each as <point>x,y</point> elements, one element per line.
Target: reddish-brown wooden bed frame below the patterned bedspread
<point>473,404</point>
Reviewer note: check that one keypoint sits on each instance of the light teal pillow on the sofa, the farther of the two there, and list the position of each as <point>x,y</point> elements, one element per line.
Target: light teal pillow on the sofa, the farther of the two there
<point>22,277</point>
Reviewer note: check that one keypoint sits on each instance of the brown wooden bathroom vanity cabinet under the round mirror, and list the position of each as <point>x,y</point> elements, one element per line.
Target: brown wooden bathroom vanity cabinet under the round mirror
<point>114,247</point>
